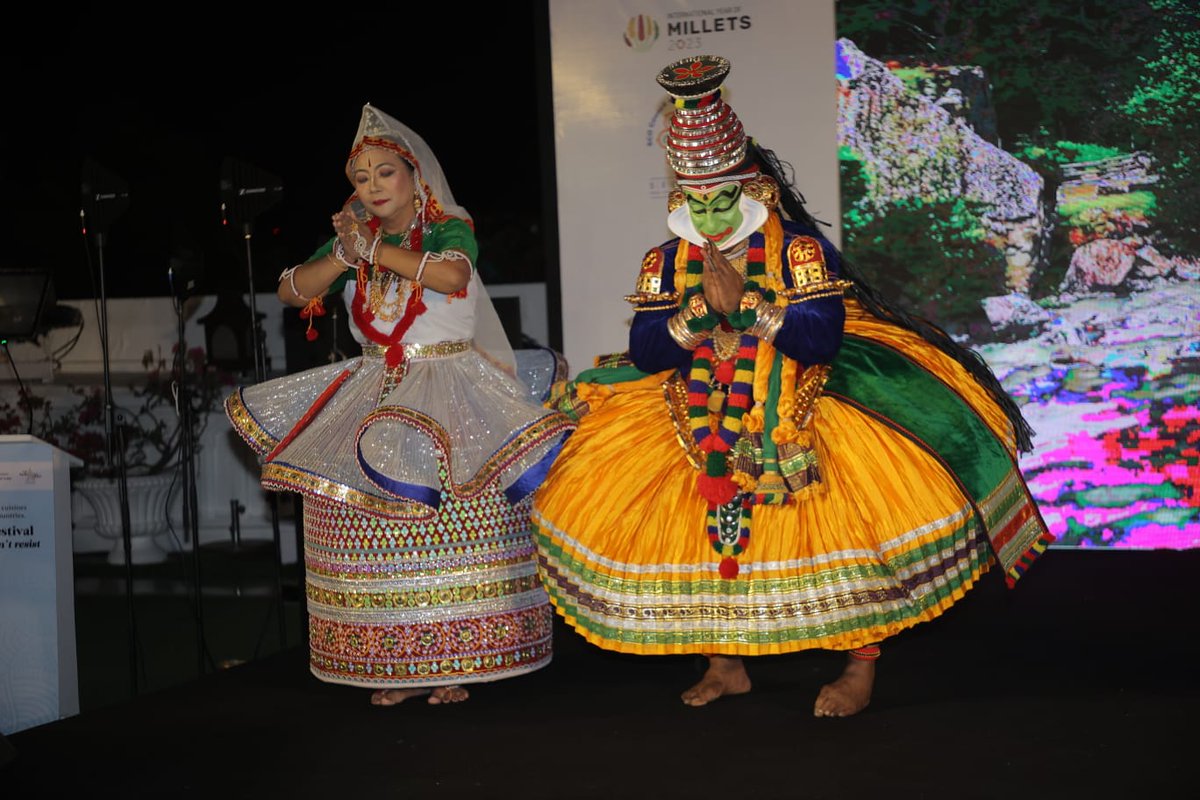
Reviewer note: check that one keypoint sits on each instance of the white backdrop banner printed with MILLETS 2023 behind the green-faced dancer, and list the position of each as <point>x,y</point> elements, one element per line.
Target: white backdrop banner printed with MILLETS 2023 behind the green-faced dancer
<point>610,122</point>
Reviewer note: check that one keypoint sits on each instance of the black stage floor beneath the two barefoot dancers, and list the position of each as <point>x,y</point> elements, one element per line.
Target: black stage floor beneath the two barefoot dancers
<point>1078,684</point>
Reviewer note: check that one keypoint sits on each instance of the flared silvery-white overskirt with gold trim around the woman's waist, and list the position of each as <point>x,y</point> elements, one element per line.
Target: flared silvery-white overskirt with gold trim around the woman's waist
<point>382,441</point>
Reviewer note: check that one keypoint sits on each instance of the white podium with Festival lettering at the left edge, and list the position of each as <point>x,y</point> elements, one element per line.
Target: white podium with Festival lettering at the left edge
<point>39,678</point>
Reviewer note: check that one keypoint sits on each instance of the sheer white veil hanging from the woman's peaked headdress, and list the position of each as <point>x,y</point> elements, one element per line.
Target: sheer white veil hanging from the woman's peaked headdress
<point>382,131</point>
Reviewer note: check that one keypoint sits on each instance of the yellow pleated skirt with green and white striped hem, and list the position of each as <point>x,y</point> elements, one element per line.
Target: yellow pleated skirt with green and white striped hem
<point>885,540</point>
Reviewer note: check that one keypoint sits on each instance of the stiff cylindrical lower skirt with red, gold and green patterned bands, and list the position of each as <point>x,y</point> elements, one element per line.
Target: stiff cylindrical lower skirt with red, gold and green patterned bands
<point>399,604</point>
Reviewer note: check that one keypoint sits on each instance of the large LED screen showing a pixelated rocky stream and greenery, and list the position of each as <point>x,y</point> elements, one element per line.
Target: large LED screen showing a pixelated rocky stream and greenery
<point>1023,175</point>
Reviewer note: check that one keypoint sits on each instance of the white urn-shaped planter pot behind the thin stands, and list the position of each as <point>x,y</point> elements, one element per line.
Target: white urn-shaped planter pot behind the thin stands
<point>149,496</point>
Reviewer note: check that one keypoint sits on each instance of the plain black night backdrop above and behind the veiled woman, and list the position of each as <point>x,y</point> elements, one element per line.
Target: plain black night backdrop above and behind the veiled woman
<point>164,99</point>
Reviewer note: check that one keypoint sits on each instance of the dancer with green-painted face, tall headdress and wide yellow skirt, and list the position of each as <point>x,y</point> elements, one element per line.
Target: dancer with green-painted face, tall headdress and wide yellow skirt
<point>782,461</point>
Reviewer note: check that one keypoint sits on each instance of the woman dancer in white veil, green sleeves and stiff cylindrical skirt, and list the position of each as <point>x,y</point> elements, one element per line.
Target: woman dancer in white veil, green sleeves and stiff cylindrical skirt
<point>416,461</point>
